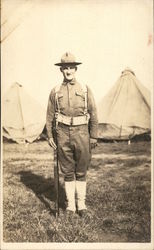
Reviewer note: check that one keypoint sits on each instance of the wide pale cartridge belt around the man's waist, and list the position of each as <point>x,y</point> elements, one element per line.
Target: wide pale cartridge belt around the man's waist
<point>72,121</point>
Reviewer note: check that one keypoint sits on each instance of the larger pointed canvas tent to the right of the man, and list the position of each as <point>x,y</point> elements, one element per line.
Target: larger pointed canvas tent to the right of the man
<point>125,111</point>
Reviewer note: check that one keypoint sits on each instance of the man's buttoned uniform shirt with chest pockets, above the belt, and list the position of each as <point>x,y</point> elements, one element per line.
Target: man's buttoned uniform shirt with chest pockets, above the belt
<point>71,102</point>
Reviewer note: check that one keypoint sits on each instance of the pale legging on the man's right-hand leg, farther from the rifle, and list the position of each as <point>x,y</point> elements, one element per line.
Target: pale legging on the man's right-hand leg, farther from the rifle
<point>81,195</point>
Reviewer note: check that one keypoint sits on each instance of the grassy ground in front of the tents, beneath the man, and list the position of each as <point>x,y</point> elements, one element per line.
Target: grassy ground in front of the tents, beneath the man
<point>118,195</point>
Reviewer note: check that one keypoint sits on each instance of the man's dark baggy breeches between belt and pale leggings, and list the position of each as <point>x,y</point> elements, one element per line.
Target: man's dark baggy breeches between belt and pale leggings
<point>73,151</point>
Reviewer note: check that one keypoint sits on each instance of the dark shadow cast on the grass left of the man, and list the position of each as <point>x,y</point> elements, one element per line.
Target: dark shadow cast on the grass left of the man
<point>43,189</point>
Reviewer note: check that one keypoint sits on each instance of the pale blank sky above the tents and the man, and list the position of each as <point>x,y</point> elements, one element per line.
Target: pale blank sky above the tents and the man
<point>105,35</point>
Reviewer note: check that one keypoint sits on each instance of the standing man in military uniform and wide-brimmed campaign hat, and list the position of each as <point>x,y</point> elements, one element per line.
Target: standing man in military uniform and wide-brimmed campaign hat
<point>72,105</point>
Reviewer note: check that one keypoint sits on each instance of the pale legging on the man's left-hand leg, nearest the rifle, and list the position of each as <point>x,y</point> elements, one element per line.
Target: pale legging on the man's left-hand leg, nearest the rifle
<point>70,195</point>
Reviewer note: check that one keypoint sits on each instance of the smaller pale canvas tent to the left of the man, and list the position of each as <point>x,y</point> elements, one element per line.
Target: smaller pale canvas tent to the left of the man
<point>23,118</point>
